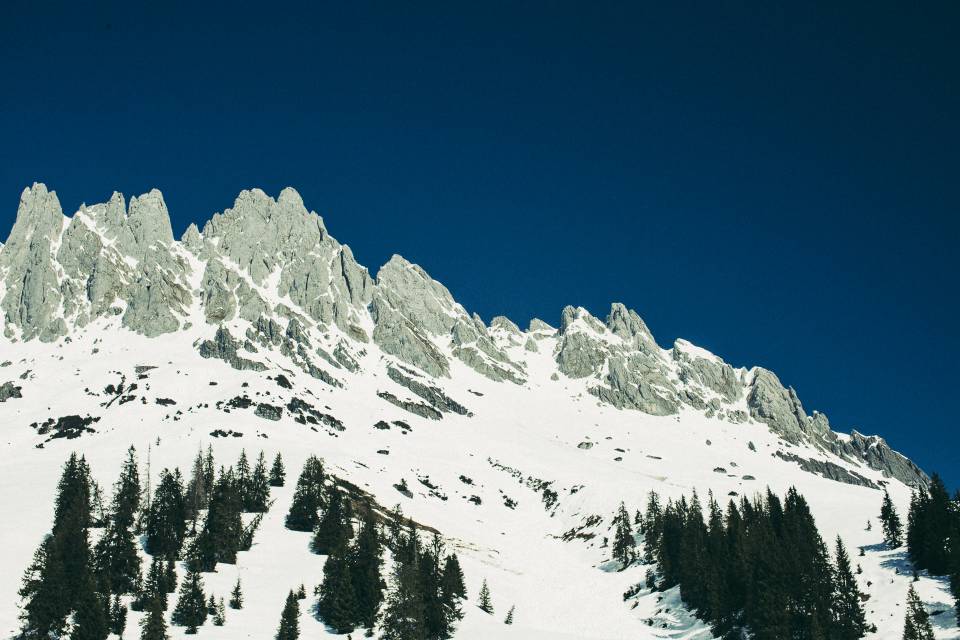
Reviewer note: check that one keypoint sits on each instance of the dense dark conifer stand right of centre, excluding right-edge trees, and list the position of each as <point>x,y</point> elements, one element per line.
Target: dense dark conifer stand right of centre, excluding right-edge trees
<point>759,567</point>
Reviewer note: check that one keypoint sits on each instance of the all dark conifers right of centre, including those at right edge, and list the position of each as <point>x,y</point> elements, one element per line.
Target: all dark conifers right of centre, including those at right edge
<point>761,567</point>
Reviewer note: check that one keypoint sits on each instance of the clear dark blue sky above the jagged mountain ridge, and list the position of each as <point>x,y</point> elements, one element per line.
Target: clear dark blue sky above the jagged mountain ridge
<point>777,185</point>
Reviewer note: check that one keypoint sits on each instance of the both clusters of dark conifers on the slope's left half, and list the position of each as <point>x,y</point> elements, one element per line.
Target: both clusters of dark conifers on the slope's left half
<point>83,590</point>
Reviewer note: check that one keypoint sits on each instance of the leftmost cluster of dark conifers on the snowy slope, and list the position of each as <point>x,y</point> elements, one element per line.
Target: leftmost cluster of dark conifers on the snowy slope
<point>73,588</point>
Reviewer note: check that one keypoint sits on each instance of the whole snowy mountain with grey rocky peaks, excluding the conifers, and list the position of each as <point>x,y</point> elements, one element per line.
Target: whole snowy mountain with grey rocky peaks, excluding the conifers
<point>264,327</point>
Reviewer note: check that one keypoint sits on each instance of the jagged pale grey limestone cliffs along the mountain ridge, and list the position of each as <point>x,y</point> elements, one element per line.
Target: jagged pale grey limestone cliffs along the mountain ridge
<point>267,263</point>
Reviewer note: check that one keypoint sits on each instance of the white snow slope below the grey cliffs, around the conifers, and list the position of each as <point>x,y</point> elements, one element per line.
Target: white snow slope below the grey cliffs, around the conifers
<point>563,590</point>
